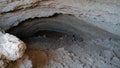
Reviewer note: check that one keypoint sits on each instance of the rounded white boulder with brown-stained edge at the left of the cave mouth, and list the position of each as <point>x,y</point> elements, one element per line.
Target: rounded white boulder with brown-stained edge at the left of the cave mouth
<point>11,48</point>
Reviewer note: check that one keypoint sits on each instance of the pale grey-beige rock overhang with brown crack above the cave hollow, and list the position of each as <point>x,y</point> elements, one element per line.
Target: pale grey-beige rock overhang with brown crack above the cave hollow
<point>101,13</point>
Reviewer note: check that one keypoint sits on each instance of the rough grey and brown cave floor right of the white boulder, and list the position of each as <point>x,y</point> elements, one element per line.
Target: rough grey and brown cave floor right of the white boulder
<point>69,52</point>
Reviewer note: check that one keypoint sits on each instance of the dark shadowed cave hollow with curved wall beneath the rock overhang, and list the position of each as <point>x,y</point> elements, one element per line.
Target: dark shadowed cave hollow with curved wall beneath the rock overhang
<point>50,30</point>
